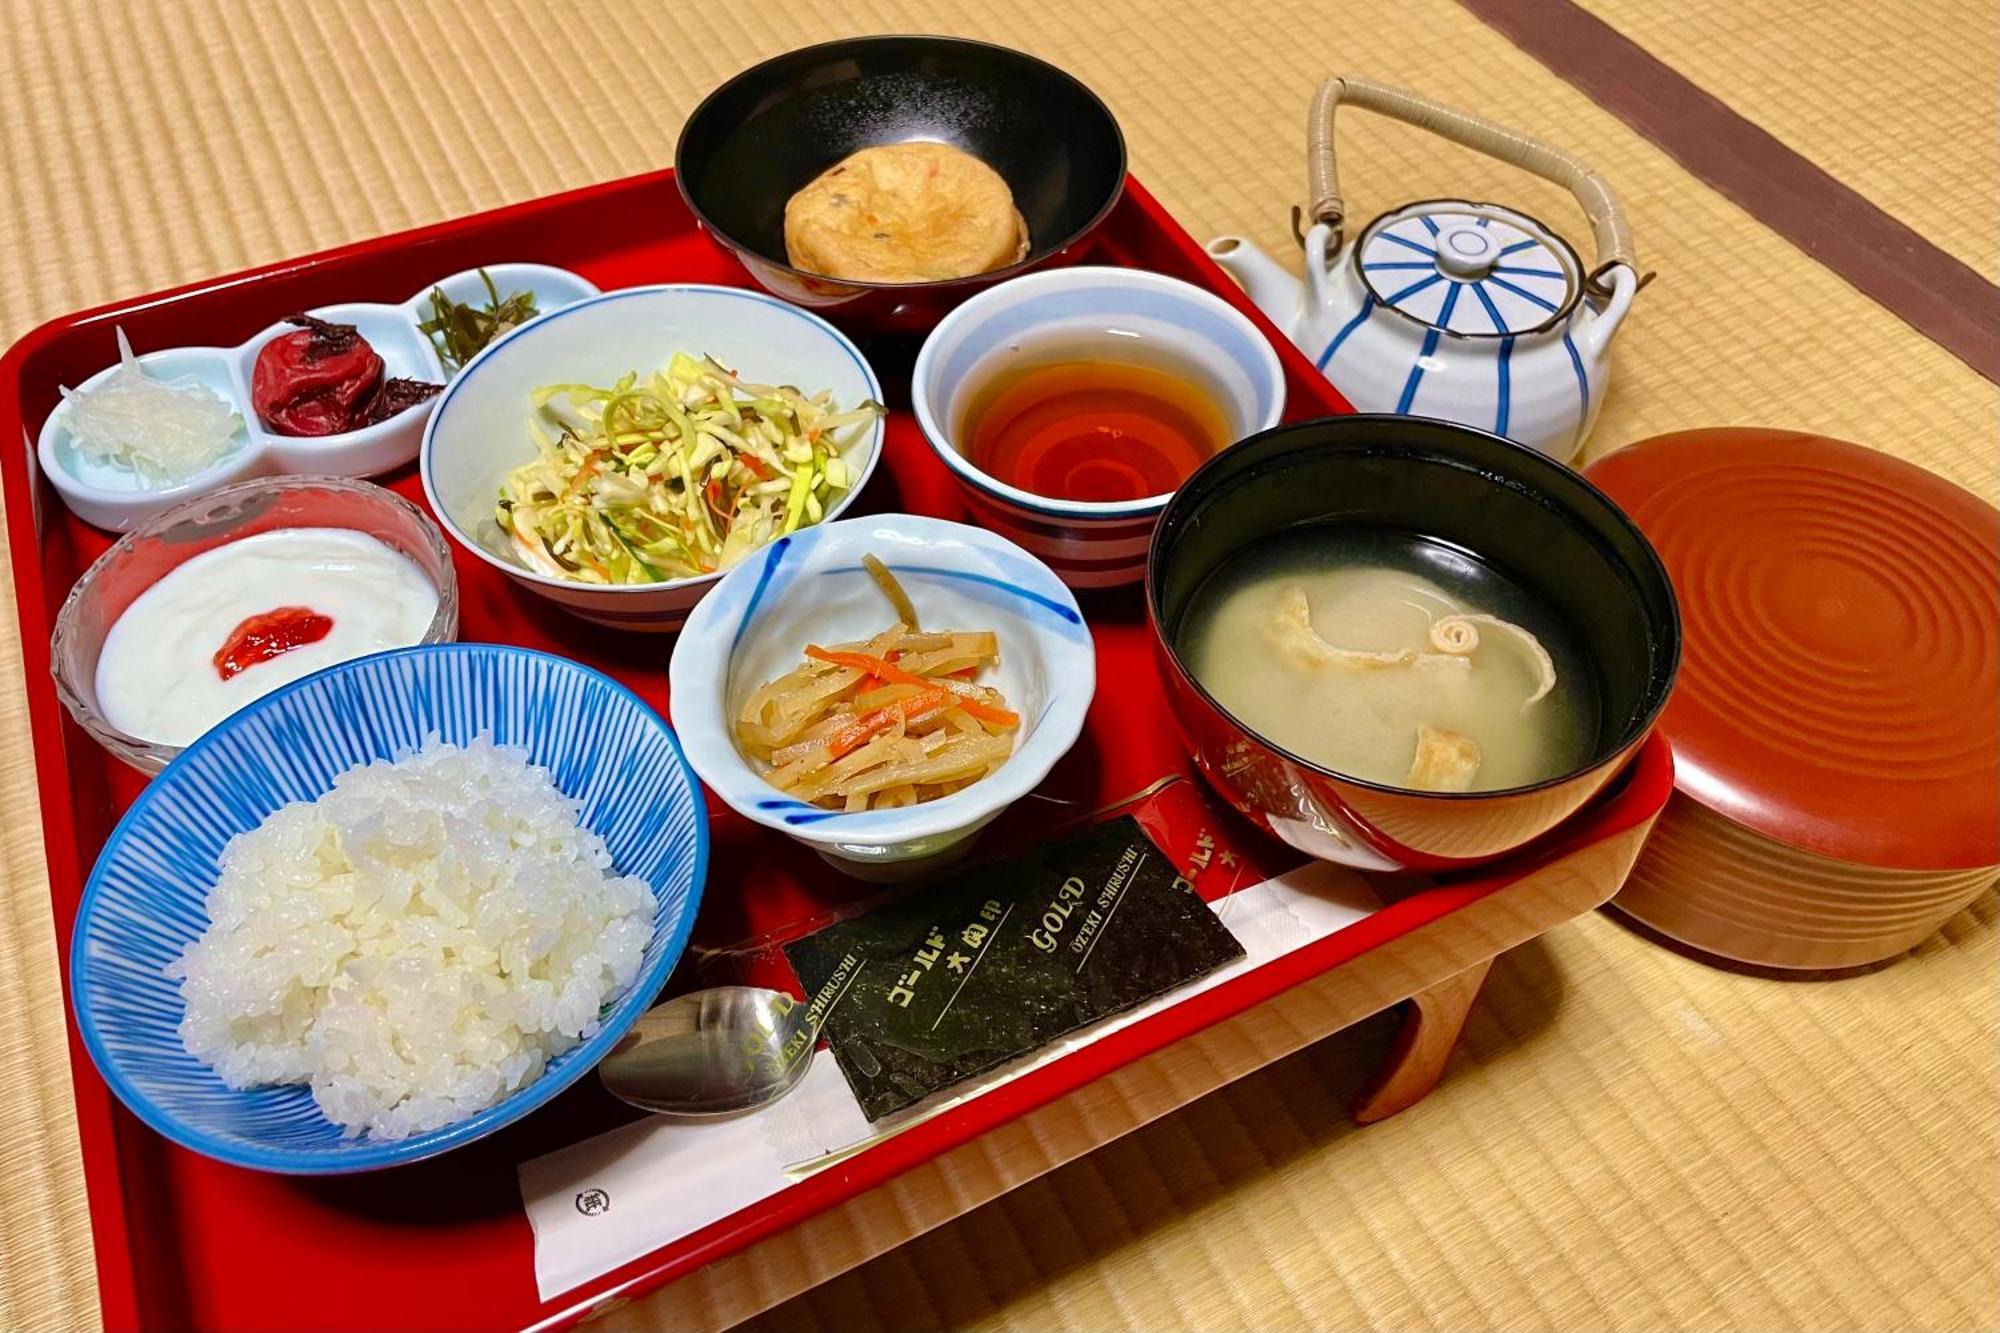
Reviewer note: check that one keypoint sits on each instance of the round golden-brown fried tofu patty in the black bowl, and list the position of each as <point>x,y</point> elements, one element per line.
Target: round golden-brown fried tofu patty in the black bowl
<point>905,213</point>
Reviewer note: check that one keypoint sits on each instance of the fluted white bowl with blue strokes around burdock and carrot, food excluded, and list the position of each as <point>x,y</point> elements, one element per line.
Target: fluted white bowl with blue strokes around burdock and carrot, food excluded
<point>811,587</point>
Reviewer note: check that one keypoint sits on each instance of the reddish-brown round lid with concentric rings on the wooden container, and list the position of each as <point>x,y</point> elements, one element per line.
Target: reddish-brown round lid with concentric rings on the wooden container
<point>1841,665</point>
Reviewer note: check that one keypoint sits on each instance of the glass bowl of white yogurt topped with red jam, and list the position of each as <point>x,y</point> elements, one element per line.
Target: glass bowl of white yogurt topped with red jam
<point>223,599</point>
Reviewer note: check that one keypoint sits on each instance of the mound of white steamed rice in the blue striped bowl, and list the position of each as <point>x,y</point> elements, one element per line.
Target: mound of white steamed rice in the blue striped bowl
<point>417,944</point>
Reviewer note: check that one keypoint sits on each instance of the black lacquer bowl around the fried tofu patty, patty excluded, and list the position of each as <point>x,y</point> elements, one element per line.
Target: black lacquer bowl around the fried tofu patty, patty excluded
<point>767,133</point>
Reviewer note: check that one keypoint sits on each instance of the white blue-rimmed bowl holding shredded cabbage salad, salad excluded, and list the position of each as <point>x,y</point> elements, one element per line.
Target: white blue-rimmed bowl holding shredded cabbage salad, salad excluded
<point>479,431</point>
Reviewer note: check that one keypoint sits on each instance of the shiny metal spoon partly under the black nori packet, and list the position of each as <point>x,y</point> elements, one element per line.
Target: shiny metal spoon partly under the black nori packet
<point>713,1054</point>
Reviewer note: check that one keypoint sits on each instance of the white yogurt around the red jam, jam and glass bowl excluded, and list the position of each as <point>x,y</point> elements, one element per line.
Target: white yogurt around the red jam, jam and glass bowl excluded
<point>157,672</point>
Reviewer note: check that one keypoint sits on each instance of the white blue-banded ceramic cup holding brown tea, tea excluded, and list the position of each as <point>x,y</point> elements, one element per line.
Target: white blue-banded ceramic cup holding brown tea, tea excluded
<point>1093,313</point>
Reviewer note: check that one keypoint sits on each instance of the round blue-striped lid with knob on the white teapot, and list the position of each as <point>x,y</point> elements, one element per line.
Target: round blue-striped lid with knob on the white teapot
<point>1477,271</point>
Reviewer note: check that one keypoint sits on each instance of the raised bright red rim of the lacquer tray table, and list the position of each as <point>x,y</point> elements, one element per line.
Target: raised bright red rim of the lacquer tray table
<point>1643,794</point>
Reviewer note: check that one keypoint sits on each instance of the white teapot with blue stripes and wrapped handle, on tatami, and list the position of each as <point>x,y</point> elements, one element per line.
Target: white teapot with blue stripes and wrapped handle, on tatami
<point>1473,313</point>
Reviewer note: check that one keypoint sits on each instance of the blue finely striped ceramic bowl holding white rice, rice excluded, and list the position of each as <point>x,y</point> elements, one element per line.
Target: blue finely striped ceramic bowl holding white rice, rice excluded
<point>147,898</point>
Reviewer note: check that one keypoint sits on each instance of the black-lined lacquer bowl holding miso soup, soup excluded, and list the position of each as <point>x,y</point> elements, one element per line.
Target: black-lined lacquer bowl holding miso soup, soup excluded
<point>1533,519</point>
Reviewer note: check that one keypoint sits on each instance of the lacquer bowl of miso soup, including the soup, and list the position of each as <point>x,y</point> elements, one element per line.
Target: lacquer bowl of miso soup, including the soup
<point>1403,643</point>
